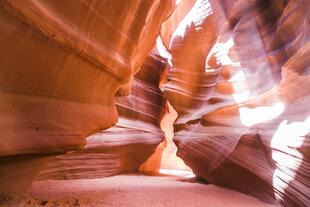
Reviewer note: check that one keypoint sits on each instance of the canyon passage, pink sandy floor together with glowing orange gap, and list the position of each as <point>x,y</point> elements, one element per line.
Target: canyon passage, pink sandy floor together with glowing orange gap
<point>171,185</point>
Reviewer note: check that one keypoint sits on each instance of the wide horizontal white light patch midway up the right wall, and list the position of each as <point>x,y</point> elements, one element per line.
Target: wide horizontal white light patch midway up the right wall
<point>251,116</point>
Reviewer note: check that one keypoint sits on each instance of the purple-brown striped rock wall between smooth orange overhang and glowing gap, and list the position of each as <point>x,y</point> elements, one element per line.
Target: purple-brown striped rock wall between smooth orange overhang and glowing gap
<point>125,146</point>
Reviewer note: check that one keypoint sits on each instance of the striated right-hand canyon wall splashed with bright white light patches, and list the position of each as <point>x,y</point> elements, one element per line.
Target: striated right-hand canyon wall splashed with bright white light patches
<point>239,80</point>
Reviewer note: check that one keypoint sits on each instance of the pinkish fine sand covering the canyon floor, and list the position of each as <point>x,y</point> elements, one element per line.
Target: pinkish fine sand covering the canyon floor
<point>133,190</point>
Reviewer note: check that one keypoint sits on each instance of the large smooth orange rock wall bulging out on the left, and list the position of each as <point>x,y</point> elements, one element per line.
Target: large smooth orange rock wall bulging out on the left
<point>62,62</point>
